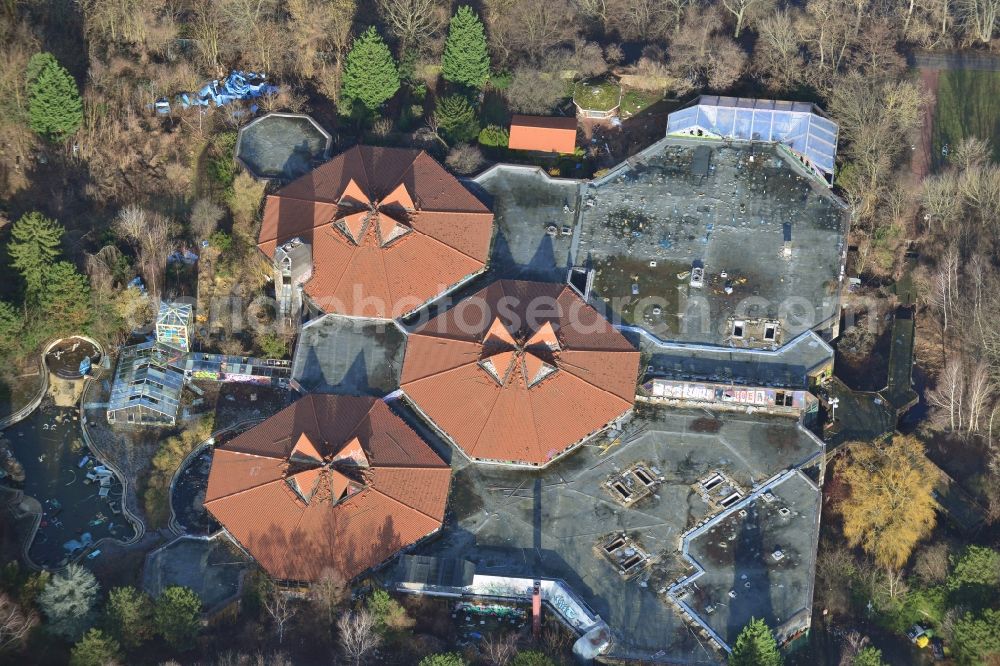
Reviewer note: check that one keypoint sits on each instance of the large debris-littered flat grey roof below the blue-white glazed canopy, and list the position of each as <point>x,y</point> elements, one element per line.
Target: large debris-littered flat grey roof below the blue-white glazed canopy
<point>654,209</point>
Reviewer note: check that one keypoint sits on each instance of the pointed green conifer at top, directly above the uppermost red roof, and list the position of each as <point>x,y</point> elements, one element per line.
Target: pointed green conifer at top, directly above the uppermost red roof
<point>370,73</point>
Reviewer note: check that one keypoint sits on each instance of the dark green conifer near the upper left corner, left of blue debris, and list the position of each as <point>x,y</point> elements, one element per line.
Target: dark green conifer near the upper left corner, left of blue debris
<point>55,111</point>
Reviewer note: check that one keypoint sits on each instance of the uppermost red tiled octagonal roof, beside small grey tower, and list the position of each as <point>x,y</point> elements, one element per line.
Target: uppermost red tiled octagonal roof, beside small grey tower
<point>390,229</point>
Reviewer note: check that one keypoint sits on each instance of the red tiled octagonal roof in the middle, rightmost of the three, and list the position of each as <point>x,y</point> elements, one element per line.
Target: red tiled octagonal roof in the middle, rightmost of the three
<point>520,371</point>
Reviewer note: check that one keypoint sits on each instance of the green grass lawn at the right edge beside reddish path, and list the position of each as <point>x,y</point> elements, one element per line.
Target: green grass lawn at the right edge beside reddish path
<point>967,105</point>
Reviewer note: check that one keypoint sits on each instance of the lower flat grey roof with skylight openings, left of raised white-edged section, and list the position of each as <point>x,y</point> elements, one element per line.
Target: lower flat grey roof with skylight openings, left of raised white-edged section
<point>551,523</point>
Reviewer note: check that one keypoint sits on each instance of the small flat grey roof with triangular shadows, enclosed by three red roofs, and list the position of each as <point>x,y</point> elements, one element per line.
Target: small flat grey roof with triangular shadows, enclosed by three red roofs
<point>349,356</point>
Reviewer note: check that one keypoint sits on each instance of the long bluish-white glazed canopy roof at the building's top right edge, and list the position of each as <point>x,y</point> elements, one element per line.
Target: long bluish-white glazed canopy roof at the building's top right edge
<point>798,126</point>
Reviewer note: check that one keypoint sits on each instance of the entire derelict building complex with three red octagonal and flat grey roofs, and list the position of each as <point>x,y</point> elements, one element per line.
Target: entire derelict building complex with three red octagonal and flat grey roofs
<point>641,445</point>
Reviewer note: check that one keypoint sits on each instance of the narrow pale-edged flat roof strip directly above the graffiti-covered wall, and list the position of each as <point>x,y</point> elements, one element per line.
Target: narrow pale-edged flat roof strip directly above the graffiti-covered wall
<point>787,367</point>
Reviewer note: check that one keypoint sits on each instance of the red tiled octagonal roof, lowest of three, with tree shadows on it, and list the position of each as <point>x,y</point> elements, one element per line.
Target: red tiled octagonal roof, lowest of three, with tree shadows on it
<point>376,487</point>
